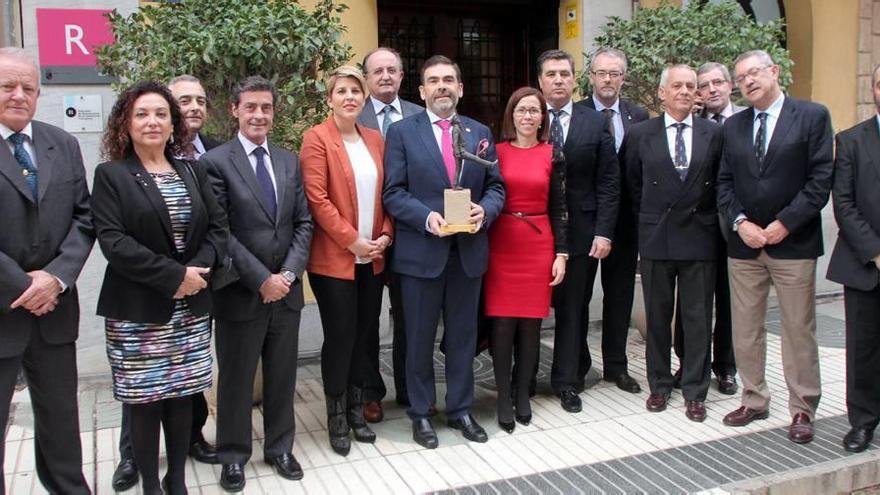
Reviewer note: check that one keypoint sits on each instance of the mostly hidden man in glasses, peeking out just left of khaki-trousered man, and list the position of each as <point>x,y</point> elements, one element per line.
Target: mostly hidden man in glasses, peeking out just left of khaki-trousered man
<point>714,87</point>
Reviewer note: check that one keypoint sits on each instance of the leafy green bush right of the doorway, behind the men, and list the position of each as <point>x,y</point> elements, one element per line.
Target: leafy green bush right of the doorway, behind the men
<point>695,34</point>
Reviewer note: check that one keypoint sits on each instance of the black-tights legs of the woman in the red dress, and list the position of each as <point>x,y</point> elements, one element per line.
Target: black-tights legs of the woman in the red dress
<point>521,335</point>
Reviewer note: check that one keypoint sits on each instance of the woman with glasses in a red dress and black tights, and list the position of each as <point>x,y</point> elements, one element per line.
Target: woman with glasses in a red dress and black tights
<point>527,252</point>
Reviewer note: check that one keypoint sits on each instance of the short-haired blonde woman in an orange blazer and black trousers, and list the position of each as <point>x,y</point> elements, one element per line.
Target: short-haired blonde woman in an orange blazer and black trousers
<point>342,173</point>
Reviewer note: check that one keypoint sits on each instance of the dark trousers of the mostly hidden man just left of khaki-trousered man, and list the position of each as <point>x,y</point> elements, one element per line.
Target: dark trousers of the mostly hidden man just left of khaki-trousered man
<point>723,360</point>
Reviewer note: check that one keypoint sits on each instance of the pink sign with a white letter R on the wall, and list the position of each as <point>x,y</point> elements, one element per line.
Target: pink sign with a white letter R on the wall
<point>69,37</point>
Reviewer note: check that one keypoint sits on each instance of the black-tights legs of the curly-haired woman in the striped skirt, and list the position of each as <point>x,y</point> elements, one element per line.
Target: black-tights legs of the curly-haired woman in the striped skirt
<point>175,416</point>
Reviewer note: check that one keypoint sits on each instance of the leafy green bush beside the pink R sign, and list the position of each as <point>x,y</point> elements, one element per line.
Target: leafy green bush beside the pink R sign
<point>223,41</point>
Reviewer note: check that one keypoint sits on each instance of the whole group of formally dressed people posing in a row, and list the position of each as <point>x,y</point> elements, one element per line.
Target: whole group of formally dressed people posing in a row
<point>711,202</point>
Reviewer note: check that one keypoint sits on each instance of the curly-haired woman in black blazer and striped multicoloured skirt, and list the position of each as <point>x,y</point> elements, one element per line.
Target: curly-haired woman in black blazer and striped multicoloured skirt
<point>161,230</point>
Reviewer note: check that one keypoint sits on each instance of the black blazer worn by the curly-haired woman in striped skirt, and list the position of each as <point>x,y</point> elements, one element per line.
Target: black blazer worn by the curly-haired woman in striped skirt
<point>133,226</point>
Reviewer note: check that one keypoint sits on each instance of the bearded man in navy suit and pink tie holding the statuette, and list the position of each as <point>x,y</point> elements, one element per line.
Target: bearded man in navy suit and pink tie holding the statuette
<point>440,271</point>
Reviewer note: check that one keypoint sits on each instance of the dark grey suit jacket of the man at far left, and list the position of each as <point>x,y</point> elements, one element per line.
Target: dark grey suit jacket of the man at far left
<point>56,237</point>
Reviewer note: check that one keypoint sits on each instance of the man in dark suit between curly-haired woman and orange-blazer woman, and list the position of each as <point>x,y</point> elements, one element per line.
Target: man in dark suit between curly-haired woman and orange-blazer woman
<point>260,187</point>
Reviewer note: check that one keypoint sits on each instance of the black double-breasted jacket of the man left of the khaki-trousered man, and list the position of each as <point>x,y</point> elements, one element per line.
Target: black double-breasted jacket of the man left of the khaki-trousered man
<point>677,220</point>
